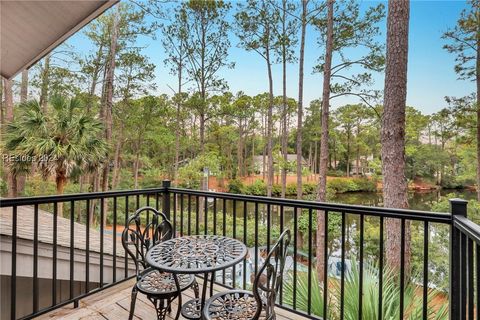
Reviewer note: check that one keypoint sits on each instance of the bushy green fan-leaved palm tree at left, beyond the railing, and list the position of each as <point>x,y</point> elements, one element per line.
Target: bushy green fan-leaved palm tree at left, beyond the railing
<point>57,142</point>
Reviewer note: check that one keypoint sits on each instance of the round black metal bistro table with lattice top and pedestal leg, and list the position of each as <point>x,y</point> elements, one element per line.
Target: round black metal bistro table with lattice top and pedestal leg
<point>199,254</point>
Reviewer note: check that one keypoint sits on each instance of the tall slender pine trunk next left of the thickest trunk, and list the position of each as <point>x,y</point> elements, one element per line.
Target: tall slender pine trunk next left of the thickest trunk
<point>322,185</point>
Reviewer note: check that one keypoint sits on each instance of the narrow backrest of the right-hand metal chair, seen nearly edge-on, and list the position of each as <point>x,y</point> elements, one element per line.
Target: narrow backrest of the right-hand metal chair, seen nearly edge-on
<point>270,276</point>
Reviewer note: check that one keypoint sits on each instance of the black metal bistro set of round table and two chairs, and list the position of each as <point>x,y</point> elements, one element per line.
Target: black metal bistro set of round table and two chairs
<point>167,265</point>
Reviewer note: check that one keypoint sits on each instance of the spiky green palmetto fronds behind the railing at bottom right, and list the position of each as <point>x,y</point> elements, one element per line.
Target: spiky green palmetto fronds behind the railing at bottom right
<point>413,306</point>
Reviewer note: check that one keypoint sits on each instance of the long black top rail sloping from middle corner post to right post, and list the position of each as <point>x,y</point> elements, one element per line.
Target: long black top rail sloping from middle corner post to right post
<point>439,217</point>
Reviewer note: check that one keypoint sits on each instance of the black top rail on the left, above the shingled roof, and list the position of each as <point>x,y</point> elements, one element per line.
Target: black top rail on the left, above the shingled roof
<point>25,201</point>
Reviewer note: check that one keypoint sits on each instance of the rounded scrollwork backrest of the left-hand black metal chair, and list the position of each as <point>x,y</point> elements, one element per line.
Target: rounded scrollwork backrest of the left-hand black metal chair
<point>137,239</point>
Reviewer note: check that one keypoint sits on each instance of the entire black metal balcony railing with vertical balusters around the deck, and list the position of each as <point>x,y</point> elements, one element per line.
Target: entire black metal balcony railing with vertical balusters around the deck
<point>353,238</point>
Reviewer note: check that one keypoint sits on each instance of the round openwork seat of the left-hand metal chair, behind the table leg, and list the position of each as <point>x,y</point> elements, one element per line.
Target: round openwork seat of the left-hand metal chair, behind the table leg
<point>154,282</point>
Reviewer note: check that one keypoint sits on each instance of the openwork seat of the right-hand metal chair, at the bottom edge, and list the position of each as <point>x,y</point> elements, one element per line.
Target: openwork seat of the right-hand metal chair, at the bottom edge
<point>232,304</point>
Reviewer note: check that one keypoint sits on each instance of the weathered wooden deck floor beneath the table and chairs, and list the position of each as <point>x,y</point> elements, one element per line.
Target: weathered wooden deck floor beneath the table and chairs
<point>114,303</point>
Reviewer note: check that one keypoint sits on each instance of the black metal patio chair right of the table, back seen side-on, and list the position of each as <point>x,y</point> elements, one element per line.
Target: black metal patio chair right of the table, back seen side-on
<point>242,304</point>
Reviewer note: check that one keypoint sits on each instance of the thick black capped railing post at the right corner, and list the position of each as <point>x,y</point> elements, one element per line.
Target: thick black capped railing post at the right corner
<point>458,207</point>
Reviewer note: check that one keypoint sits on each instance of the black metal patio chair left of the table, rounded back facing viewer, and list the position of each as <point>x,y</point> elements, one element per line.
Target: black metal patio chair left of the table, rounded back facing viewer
<point>161,288</point>
